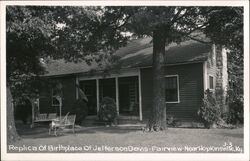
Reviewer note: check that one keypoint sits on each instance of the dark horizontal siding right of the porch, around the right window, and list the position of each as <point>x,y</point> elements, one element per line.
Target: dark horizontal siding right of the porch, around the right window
<point>190,88</point>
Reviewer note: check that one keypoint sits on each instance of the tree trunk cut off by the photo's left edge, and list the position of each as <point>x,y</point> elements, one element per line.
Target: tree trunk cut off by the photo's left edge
<point>12,135</point>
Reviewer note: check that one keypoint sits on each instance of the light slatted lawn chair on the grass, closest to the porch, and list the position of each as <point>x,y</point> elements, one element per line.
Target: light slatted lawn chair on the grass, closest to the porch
<point>67,121</point>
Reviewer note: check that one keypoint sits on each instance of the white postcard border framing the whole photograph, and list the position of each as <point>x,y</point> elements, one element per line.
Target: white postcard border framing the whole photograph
<point>122,156</point>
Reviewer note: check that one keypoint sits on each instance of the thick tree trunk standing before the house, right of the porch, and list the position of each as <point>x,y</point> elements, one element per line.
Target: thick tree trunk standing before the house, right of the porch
<point>157,120</point>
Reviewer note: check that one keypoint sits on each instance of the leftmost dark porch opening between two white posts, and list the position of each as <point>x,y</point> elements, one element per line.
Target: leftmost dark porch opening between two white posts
<point>89,88</point>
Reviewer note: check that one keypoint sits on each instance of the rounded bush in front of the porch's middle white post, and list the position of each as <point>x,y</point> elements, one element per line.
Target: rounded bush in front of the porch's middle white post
<point>107,111</point>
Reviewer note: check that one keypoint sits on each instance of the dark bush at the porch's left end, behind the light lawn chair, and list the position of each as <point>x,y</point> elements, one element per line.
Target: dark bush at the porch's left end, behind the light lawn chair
<point>80,109</point>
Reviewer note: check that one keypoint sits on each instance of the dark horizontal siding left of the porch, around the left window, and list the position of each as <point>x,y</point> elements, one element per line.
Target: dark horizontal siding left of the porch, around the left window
<point>69,96</point>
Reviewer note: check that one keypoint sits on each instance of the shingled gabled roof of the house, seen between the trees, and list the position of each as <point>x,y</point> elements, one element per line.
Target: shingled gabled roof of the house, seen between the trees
<point>137,54</point>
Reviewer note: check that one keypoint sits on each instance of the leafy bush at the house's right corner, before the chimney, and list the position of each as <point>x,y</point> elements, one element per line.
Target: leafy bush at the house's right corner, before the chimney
<point>210,110</point>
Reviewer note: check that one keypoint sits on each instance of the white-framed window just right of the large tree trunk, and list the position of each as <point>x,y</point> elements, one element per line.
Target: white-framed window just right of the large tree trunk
<point>172,89</point>
